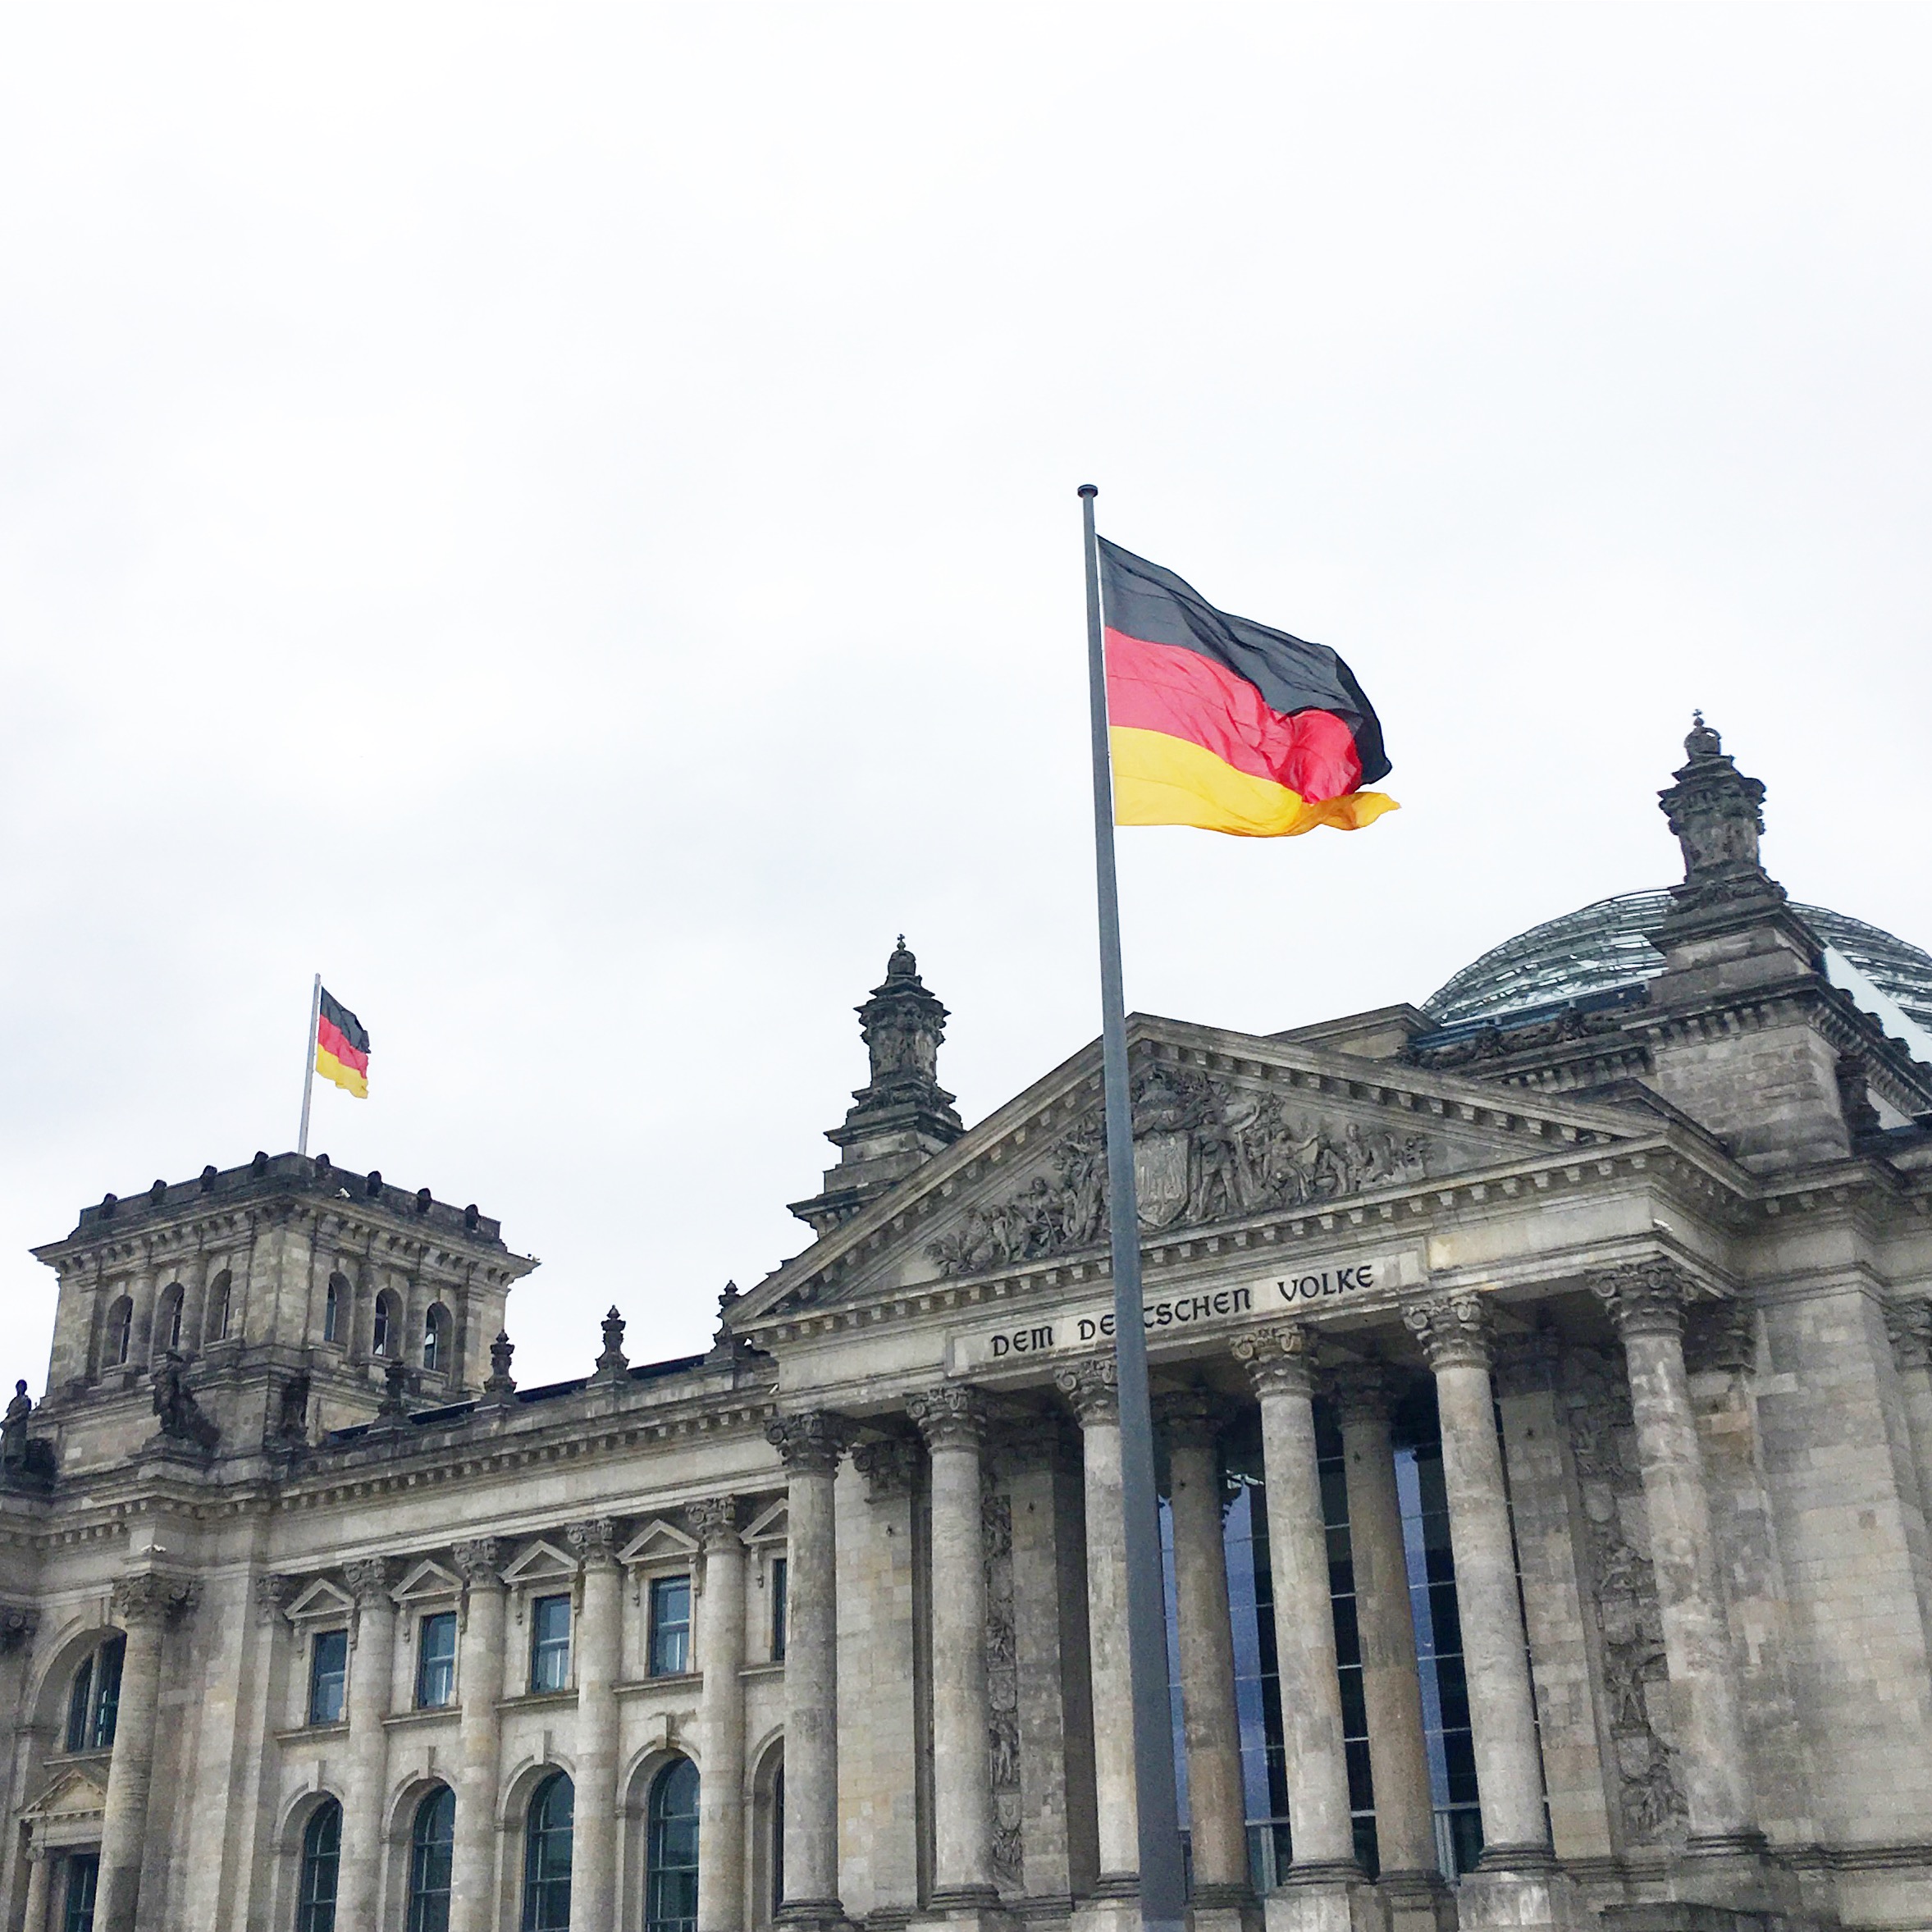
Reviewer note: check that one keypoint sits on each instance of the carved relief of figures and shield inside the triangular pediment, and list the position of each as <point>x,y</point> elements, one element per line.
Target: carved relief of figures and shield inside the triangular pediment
<point>1205,1151</point>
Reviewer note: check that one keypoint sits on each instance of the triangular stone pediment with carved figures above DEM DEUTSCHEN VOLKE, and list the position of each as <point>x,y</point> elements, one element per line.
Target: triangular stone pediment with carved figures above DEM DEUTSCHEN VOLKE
<point>1228,1129</point>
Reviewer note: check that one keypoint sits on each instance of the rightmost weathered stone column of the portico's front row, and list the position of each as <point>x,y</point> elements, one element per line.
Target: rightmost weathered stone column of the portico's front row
<point>1647,1303</point>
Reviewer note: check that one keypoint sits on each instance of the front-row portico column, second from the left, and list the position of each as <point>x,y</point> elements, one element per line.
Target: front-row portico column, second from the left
<point>953,1423</point>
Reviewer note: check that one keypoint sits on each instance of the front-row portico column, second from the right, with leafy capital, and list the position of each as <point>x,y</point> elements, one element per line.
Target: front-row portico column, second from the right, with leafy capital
<point>1454,1332</point>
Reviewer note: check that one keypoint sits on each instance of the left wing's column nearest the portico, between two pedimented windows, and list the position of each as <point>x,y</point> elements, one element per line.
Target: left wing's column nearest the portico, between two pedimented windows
<point>722,1717</point>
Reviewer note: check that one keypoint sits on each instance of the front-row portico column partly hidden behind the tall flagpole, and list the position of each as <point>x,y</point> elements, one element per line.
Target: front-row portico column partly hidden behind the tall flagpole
<point>1096,1400</point>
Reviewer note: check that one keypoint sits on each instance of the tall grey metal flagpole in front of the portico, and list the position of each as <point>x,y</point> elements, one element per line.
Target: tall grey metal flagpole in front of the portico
<point>1162,1883</point>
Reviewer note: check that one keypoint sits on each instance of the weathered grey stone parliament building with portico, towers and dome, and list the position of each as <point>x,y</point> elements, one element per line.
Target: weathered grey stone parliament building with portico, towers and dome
<point>1545,1384</point>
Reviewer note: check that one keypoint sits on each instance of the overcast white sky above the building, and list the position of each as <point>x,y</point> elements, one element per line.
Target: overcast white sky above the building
<point>565,521</point>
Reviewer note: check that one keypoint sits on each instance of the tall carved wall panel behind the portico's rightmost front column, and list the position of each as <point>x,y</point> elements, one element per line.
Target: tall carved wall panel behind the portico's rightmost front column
<point>1624,1595</point>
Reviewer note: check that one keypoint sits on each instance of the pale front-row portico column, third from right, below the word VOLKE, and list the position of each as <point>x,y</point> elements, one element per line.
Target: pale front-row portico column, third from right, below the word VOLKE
<point>1282,1369</point>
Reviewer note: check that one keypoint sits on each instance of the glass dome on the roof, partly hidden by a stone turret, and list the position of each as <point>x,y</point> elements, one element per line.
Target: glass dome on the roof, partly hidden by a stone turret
<point>1606,948</point>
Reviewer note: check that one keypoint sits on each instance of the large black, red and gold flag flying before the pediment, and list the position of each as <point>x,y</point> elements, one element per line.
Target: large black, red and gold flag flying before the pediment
<point>1228,725</point>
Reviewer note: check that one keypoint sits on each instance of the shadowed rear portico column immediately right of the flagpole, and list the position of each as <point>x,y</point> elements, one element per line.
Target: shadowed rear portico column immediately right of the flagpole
<point>1205,1632</point>
